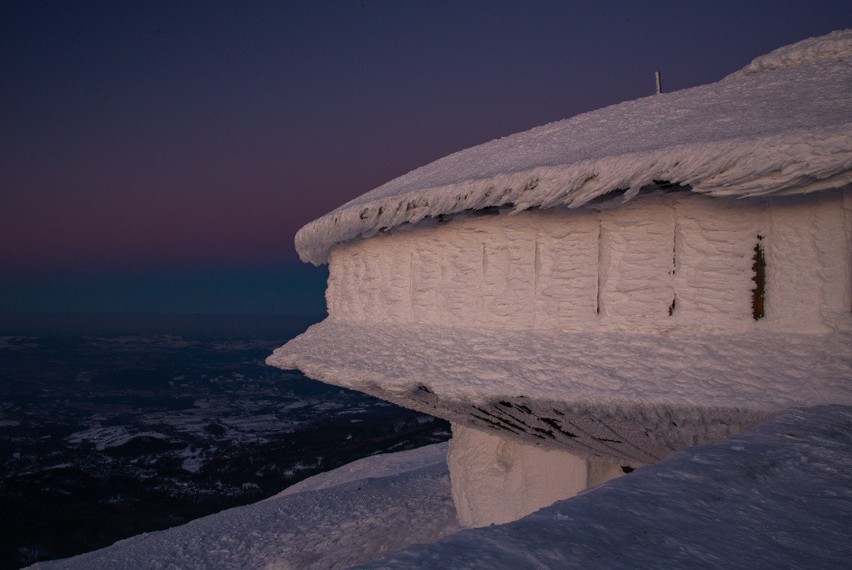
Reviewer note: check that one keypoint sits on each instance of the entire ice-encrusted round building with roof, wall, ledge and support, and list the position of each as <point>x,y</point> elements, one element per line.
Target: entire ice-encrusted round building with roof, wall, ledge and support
<point>600,291</point>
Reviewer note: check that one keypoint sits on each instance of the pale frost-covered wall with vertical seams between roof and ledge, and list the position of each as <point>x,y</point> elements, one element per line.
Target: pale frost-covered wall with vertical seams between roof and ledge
<point>674,261</point>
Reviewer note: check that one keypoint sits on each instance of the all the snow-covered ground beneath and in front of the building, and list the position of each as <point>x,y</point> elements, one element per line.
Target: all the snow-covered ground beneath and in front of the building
<point>779,495</point>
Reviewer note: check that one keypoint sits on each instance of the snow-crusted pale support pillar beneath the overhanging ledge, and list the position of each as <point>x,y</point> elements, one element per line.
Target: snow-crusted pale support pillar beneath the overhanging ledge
<point>496,480</point>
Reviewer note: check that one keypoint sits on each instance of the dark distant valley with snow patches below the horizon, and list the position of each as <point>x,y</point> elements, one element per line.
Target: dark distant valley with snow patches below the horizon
<point>107,436</point>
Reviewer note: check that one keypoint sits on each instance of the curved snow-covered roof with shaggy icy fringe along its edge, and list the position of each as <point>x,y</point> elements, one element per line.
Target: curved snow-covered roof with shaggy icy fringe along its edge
<point>781,125</point>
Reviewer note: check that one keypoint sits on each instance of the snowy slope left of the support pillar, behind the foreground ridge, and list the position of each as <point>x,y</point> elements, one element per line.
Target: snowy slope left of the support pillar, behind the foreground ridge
<point>334,520</point>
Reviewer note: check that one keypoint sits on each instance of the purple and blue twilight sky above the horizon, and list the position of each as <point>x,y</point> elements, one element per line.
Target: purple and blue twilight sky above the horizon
<point>159,156</point>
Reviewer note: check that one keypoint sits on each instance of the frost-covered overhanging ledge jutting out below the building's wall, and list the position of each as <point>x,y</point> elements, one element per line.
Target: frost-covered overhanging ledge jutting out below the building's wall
<point>621,396</point>
